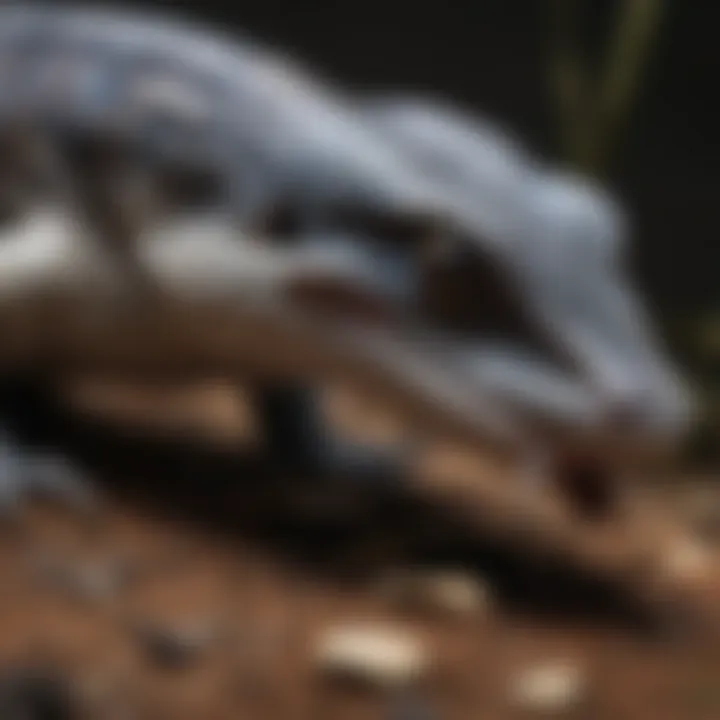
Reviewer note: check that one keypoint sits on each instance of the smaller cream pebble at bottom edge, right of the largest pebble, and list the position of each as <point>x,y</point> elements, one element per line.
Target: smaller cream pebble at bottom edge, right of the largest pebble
<point>554,688</point>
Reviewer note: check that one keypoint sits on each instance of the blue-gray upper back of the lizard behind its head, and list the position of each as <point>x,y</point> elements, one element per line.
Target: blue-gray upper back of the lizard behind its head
<point>183,95</point>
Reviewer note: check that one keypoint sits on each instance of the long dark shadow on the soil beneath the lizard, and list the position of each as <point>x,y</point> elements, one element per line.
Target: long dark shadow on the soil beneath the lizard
<point>342,532</point>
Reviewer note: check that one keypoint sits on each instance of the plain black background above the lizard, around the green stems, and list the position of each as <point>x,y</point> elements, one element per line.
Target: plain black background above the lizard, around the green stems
<point>492,54</point>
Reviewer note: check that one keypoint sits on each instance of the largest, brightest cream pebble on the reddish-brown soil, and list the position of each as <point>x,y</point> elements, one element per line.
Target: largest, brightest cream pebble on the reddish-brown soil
<point>378,655</point>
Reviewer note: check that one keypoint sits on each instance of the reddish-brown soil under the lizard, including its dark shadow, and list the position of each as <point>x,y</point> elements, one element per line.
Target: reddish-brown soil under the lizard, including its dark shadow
<point>274,561</point>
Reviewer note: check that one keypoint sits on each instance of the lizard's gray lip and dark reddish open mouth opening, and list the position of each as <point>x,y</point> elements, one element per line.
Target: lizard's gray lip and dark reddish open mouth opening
<point>589,450</point>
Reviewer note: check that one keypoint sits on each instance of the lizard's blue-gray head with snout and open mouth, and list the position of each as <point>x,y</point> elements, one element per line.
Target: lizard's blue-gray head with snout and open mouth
<point>558,241</point>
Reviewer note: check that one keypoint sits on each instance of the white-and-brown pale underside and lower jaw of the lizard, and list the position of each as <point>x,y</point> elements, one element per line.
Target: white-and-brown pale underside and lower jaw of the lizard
<point>230,305</point>
